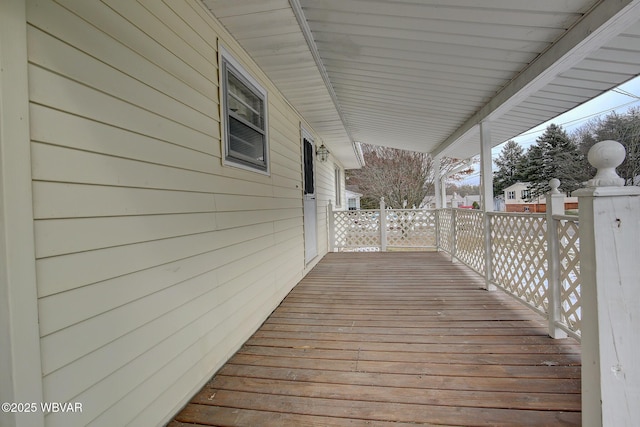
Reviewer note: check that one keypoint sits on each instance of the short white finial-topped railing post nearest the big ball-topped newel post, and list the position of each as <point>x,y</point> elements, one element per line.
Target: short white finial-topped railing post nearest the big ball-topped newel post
<point>555,206</point>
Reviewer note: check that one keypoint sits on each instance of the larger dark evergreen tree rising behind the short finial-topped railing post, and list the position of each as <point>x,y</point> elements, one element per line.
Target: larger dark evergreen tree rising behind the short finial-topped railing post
<point>555,155</point>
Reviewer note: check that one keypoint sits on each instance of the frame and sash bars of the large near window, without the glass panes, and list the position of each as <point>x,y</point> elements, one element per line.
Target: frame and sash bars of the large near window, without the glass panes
<point>228,64</point>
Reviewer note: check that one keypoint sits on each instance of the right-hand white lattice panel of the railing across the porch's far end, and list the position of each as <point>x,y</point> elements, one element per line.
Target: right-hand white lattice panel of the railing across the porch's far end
<point>411,228</point>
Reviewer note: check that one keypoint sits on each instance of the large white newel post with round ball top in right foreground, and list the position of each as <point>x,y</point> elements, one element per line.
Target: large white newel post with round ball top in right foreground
<point>610,275</point>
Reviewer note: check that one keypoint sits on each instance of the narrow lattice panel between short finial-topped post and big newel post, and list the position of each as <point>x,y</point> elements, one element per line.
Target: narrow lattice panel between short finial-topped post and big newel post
<point>569,244</point>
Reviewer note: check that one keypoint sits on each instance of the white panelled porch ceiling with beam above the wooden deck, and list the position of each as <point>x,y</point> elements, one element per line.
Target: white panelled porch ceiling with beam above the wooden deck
<point>422,74</point>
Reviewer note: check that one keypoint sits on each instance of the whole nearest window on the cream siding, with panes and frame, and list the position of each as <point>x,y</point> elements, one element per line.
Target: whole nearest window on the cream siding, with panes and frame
<point>244,104</point>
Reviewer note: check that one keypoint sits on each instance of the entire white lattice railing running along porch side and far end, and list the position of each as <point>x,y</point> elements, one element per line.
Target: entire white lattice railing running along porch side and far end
<point>512,251</point>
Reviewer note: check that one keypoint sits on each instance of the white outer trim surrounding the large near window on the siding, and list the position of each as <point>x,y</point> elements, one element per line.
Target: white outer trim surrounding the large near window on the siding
<point>226,56</point>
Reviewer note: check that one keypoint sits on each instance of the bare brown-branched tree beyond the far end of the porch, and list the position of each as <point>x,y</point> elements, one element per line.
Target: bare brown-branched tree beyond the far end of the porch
<point>404,178</point>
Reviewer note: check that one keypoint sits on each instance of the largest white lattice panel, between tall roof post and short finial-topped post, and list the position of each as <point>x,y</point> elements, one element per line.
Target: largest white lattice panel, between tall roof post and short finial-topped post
<point>519,257</point>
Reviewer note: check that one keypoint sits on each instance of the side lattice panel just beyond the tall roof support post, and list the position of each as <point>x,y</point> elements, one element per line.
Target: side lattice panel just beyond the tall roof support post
<point>470,238</point>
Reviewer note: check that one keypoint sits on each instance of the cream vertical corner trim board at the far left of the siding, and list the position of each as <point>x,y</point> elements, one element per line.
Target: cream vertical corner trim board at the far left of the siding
<point>20,361</point>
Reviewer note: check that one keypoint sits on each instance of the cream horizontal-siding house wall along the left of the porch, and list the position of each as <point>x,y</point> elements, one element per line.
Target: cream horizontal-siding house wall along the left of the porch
<point>154,261</point>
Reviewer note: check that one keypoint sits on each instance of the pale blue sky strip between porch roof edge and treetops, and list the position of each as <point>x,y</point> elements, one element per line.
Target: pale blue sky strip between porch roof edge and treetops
<point>619,100</point>
